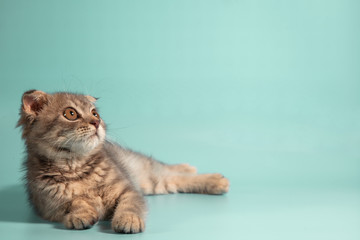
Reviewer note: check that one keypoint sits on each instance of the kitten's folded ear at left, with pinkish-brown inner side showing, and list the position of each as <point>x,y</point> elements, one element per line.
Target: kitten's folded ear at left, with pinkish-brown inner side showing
<point>33,101</point>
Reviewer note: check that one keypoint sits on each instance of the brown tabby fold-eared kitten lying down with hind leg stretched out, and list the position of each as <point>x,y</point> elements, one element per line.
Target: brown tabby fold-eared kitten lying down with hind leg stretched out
<point>77,177</point>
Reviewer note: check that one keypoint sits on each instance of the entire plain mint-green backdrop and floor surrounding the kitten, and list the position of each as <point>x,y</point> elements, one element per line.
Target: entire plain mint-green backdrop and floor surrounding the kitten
<point>265,92</point>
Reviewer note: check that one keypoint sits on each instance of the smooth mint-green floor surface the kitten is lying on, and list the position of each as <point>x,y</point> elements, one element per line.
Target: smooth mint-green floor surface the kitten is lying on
<point>244,213</point>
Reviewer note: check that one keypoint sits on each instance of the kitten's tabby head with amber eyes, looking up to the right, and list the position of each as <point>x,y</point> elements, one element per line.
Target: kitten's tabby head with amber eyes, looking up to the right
<point>60,124</point>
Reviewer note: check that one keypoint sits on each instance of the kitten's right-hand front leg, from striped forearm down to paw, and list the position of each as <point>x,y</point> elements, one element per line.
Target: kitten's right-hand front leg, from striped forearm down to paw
<point>129,213</point>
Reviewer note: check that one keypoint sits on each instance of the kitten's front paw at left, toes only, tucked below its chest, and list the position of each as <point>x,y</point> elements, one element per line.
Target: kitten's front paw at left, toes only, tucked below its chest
<point>80,221</point>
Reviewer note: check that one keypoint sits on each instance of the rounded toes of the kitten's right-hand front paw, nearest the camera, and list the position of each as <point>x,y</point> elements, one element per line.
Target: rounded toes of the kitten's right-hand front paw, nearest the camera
<point>128,223</point>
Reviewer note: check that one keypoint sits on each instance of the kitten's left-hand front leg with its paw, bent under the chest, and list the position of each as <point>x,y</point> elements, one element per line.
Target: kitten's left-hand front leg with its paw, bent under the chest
<point>82,213</point>
